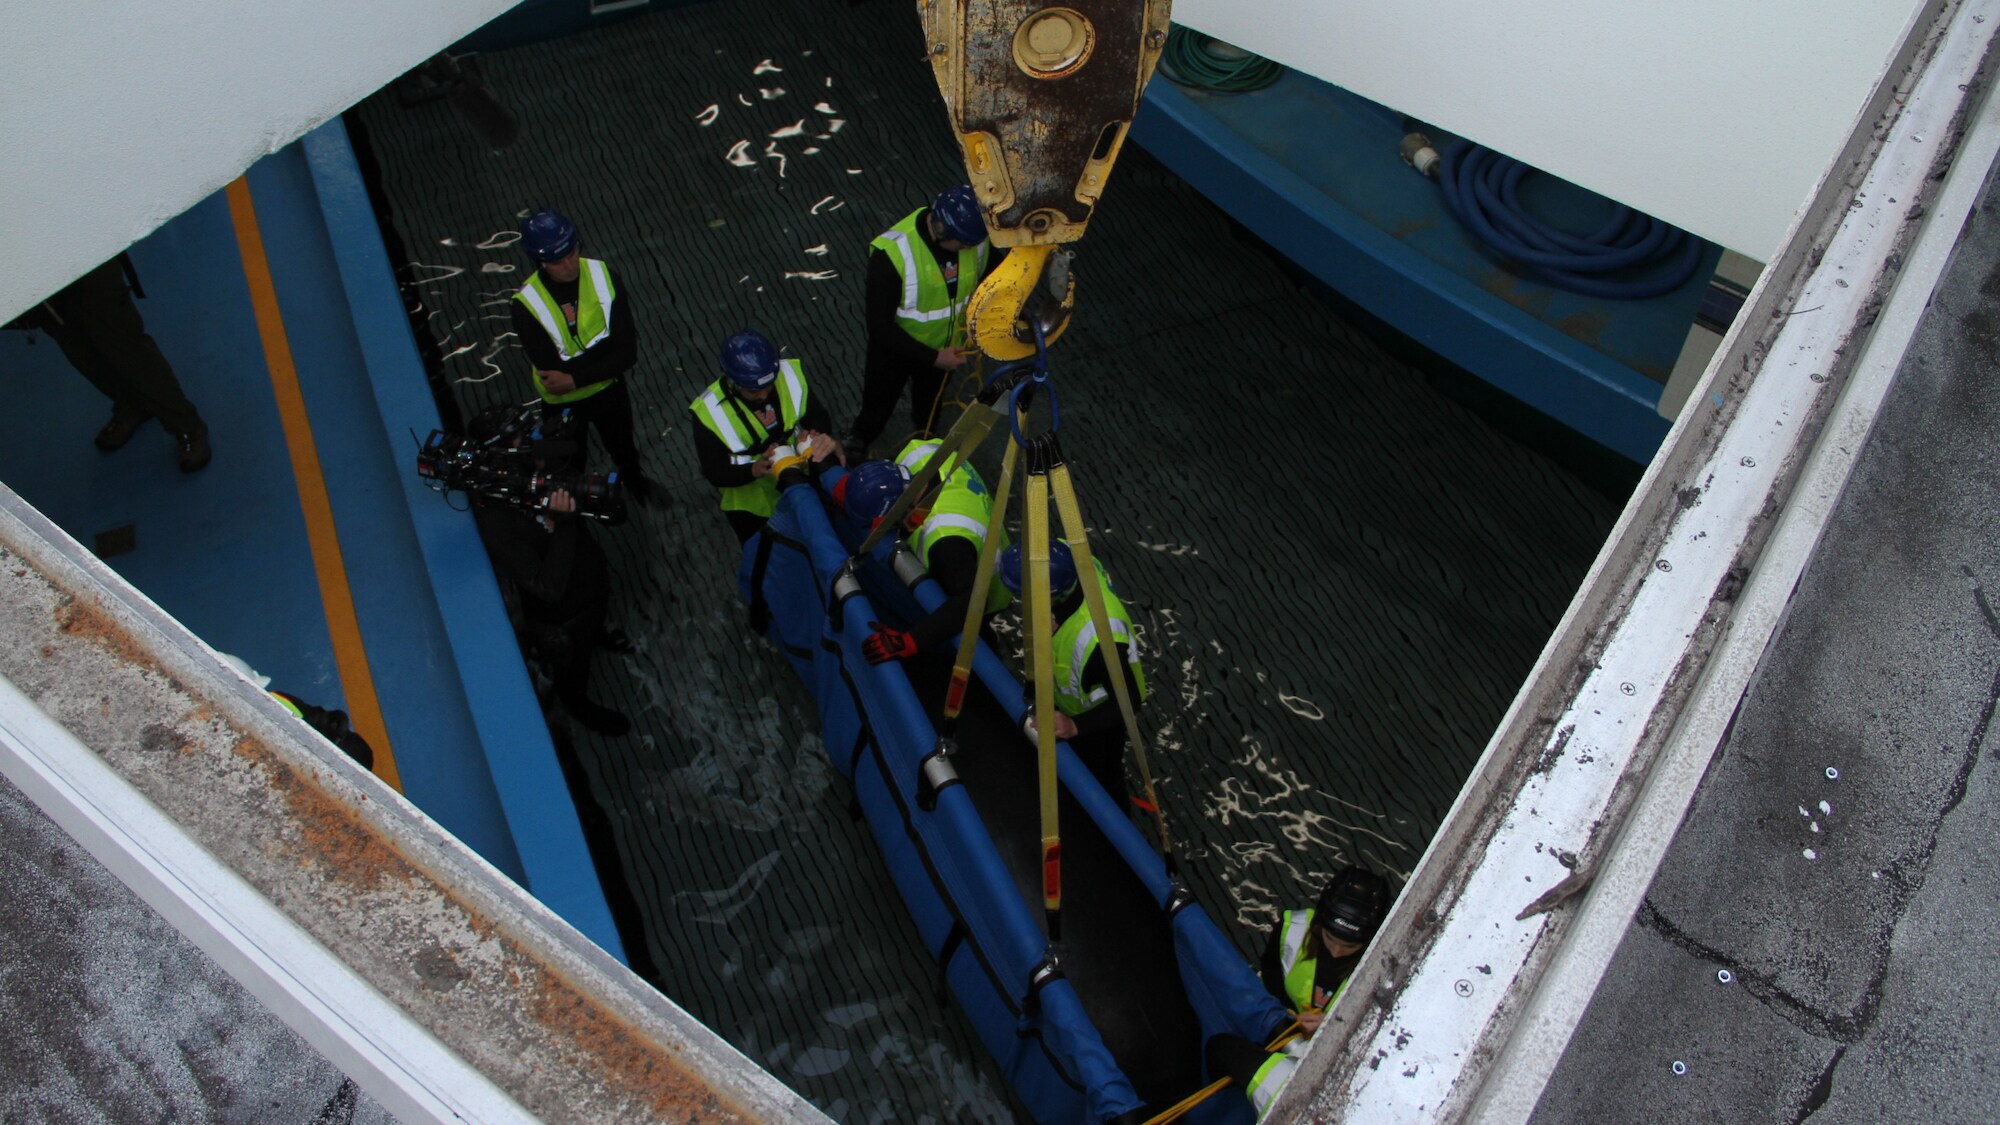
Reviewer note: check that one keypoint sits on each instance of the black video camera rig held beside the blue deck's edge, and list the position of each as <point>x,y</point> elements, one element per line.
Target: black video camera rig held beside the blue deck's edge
<point>507,459</point>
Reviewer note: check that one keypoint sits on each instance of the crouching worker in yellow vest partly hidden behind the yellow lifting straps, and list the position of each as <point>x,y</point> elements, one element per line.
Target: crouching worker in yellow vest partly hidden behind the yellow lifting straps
<point>1087,714</point>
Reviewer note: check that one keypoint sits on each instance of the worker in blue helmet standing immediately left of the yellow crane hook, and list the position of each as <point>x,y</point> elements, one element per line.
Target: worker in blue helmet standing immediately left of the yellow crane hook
<point>921,277</point>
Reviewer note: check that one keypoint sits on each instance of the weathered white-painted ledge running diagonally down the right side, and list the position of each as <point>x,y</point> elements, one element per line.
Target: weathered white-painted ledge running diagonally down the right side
<point>1393,998</point>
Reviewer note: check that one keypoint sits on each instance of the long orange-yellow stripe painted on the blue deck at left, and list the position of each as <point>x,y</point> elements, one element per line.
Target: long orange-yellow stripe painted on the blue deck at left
<point>365,712</point>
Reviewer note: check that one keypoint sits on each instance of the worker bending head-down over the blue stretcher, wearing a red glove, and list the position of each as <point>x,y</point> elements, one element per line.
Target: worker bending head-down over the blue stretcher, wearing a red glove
<point>947,539</point>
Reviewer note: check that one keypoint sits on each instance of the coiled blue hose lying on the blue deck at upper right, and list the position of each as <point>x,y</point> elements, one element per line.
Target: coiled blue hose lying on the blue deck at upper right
<point>1631,257</point>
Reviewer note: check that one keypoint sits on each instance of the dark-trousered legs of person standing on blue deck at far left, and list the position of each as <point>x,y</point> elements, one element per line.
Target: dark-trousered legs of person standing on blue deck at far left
<point>105,339</point>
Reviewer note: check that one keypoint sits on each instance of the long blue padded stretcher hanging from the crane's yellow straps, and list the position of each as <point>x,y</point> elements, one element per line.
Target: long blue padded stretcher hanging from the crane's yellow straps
<point>1141,988</point>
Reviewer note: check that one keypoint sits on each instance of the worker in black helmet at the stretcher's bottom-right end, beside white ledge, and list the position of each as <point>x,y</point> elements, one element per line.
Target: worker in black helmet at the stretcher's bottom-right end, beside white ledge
<point>1307,964</point>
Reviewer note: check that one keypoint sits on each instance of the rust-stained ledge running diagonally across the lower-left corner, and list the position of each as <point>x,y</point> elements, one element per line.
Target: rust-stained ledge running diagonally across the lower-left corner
<point>471,960</point>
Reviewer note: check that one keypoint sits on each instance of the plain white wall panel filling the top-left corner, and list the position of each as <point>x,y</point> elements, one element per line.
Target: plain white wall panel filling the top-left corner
<point>119,115</point>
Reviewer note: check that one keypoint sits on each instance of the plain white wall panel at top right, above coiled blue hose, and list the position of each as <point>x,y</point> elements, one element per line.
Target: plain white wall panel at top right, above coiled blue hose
<point>1713,115</point>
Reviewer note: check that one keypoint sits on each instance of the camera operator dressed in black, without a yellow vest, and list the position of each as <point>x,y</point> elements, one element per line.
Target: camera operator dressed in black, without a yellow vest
<point>557,582</point>
